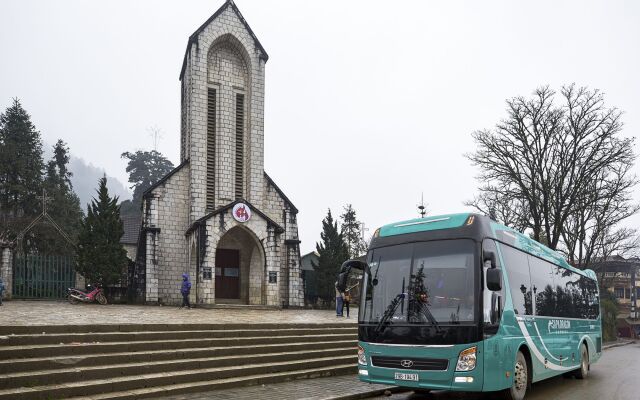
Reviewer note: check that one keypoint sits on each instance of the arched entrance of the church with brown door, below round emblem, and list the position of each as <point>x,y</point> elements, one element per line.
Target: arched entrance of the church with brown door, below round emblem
<point>240,266</point>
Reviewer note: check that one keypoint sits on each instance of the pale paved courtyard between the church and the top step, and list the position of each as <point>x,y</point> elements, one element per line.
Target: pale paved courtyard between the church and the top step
<point>62,313</point>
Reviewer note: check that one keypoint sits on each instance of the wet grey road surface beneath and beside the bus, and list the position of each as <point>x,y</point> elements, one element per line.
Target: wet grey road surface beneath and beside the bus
<point>616,376</point>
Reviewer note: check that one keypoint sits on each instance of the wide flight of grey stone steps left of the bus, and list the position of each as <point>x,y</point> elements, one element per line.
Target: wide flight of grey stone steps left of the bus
<point>56,365</point>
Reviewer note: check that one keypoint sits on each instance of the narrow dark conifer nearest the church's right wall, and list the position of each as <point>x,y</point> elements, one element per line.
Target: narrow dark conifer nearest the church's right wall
<point>332,253</point>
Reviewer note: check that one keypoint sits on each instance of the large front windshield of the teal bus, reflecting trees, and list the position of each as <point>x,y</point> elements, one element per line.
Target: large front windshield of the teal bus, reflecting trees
<point>428,283</point>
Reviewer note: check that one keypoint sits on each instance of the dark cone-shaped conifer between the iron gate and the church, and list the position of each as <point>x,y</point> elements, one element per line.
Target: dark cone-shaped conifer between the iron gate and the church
<point>101,257</point>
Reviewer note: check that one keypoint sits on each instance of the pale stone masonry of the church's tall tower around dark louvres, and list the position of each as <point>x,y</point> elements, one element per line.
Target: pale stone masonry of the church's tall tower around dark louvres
<point>227,27</point>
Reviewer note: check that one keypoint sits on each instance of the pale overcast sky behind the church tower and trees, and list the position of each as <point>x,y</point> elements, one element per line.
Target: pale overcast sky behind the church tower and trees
<point>369,103</point>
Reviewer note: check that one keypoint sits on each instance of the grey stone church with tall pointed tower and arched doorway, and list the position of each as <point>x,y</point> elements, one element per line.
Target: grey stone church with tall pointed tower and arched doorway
<point>218,216</point>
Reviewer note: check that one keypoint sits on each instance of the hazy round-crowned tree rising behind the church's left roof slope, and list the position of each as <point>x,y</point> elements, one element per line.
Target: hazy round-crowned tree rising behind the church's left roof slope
<point>144,168</point>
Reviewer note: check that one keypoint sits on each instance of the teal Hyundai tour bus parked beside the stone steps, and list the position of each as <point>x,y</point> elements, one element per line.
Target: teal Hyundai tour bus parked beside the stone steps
<point>459,302</point>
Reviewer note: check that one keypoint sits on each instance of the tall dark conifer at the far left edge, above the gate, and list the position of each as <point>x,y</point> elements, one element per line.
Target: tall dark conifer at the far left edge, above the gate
<point>21,169</point>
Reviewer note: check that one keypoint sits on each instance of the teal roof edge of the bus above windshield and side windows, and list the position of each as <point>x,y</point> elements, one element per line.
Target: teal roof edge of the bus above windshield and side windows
<point>497,231</point>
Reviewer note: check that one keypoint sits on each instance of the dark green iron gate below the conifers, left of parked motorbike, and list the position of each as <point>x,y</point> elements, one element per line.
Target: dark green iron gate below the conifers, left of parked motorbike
<point>37,276</point>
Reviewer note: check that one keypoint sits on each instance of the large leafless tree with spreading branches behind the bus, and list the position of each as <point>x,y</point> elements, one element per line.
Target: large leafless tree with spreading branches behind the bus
<point>562,171</point>
